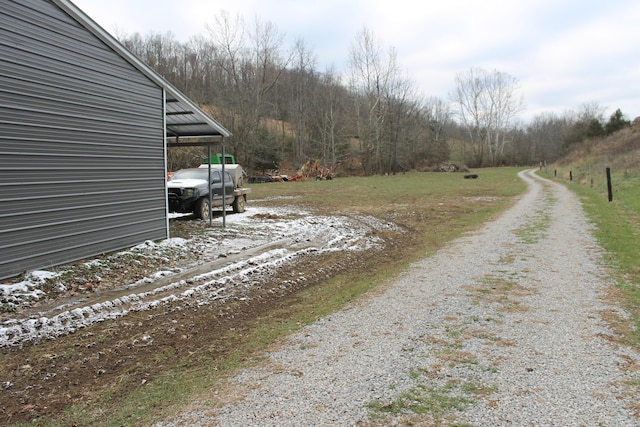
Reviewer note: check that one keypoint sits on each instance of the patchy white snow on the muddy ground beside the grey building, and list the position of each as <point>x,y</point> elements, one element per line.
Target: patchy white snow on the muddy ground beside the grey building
<point>295,233</point>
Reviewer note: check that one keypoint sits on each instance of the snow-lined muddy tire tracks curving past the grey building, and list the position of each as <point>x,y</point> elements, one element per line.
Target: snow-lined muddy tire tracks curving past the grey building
<point>228,277</point>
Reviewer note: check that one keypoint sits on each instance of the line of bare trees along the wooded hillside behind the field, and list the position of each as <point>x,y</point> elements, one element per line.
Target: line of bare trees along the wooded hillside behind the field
<point>371,119</point>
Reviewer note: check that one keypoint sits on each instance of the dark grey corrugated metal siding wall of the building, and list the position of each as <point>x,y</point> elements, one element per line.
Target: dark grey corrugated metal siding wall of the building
<point>81,143</point>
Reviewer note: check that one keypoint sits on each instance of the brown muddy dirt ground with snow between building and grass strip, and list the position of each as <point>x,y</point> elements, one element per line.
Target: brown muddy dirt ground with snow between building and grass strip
<point>44,376</point>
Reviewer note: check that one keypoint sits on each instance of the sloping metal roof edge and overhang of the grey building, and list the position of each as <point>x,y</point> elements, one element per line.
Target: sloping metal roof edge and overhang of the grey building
<point>183,118</point>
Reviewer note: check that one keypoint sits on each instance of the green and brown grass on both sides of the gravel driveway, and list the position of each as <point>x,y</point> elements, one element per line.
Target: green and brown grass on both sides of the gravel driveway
<point>434,208</point>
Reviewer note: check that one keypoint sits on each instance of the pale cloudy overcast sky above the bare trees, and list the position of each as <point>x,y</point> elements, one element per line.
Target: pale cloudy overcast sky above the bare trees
<point>564,53</point>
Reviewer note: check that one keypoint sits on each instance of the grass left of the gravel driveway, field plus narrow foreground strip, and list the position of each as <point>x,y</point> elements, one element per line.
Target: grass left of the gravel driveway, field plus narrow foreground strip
<point>435,207</point>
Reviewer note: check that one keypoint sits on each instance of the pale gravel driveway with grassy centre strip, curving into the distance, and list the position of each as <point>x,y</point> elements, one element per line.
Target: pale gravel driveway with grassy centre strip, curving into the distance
<point>503,327</point>
